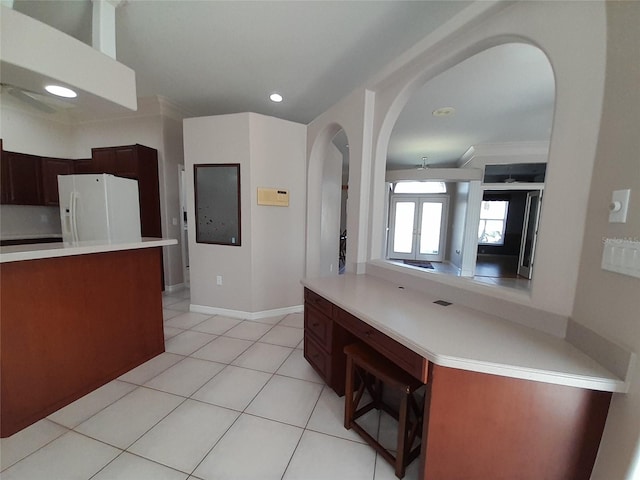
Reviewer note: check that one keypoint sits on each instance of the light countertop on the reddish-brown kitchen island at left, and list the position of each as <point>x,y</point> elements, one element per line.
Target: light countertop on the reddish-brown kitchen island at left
<point>16,253</point>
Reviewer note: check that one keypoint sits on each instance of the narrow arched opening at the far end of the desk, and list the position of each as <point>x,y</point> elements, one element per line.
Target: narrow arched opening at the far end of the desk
<point>327,187</point>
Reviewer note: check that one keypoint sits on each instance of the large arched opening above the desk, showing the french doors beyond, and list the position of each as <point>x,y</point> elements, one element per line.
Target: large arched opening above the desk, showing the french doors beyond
<point>482,127</point>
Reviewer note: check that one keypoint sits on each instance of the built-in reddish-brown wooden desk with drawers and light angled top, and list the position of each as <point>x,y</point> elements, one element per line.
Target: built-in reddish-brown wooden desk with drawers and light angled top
<point>504,401</point>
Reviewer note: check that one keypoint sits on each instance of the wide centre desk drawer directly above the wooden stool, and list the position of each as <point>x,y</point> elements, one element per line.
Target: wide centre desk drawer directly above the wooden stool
<point>405,358</point>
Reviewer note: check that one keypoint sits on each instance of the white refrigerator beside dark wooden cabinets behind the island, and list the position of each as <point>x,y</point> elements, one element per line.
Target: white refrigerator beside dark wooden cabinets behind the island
<point>99,207</point>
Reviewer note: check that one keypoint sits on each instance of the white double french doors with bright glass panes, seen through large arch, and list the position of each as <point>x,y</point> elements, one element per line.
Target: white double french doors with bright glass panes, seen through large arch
<point>418,227</point>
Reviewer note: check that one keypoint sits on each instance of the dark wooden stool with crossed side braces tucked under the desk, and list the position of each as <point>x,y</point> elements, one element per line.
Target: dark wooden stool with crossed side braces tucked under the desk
<point>369,371</point>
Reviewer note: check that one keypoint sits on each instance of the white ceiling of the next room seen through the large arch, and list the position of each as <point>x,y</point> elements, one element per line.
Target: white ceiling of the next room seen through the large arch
<point>502,95</point>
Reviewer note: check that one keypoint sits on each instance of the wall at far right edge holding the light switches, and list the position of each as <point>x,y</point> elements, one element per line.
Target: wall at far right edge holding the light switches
<point>606,302</point>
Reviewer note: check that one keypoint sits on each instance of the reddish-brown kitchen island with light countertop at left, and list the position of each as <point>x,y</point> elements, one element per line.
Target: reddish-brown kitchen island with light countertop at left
<point>72,318</point>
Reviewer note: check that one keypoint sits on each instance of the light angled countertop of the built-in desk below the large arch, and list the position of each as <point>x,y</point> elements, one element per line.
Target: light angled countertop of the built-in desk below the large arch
<point>459,337</point>
